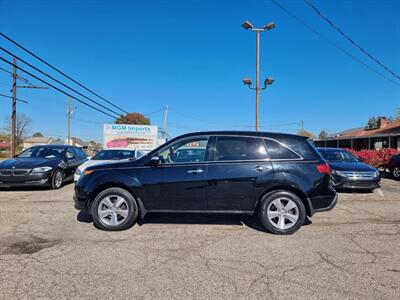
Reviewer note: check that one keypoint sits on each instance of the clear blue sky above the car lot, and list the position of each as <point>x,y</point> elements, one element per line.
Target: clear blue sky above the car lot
<point>192,56</point>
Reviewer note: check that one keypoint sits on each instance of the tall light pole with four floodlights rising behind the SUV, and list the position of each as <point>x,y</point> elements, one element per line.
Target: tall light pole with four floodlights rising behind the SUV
<point>247,25</point>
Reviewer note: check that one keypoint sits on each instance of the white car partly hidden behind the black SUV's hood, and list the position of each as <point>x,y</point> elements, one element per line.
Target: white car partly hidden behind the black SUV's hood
<point>107,156</point>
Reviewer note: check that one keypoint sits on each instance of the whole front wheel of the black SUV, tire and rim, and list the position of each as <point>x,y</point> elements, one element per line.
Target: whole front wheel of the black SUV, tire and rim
<point>114,209</point>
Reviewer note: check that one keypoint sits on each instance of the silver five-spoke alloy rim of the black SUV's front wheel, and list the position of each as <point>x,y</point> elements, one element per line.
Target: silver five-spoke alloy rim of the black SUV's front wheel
<point>113,210</point>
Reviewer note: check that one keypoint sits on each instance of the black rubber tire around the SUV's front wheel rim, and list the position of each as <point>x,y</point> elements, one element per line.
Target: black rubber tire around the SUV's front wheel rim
<point>131,204</point>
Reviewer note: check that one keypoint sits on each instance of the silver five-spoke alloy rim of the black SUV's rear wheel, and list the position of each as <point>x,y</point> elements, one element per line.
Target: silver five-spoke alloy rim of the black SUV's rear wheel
<point>283,213</point>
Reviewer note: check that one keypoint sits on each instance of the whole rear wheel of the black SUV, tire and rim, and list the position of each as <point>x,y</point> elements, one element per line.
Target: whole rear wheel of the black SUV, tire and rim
<point>282,212</point>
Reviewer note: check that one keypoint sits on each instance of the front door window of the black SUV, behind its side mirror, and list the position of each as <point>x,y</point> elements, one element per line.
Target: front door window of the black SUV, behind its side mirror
<point>185,151</point>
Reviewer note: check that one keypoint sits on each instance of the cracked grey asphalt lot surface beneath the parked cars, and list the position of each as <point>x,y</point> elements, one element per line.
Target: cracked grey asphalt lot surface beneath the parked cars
<point>48,250</point>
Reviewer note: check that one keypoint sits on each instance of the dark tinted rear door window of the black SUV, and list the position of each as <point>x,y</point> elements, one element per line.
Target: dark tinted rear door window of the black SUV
<point>240,148</point>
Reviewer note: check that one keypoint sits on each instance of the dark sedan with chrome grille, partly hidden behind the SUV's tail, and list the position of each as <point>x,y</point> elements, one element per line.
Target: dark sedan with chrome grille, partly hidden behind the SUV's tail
<point>348,171</point>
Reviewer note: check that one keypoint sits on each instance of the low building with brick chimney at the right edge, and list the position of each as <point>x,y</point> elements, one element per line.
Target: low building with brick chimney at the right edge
<point>387,135</point>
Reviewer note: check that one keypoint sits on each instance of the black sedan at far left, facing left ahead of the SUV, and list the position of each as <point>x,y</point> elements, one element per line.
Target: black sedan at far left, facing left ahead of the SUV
<point>47,165</point>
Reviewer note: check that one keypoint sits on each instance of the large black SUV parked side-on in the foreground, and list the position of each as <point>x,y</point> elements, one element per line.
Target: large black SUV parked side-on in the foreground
<point>279,177</point>
